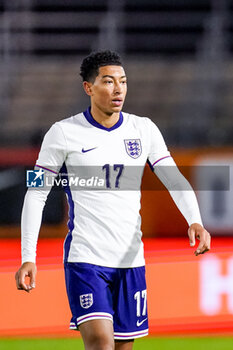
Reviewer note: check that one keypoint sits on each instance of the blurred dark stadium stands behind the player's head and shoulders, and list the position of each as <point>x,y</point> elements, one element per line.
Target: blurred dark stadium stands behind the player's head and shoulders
<point>178,57</point>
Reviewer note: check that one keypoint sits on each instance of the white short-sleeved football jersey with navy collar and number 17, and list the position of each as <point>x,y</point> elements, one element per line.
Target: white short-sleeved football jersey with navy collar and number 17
<point>104,223</point>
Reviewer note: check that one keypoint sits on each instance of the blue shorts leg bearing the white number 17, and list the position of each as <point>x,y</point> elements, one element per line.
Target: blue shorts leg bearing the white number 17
<point>130,305</point>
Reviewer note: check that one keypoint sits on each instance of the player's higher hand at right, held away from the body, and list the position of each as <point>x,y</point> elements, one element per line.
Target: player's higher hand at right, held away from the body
<point>197,231</point>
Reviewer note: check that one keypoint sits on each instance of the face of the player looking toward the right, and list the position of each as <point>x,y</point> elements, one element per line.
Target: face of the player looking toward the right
<point>109,89</point>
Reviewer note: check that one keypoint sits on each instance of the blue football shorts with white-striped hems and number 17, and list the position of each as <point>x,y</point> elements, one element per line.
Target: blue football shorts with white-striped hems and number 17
<point>115,294</point>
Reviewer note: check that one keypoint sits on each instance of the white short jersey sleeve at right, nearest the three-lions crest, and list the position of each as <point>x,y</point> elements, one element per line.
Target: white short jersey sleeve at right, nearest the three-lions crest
<point>158,149</point>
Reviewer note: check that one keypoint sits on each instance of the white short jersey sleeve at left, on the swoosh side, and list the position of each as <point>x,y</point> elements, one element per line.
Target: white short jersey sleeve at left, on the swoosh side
<point>53,149</point>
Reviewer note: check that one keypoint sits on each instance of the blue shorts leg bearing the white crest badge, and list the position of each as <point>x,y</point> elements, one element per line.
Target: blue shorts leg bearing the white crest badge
<point>88,293</point>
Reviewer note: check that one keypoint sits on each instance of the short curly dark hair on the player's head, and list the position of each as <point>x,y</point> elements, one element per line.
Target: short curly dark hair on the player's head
<point>90,66</point>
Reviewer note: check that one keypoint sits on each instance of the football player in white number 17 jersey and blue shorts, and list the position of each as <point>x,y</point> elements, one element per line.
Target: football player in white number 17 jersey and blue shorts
<point>103,252</point>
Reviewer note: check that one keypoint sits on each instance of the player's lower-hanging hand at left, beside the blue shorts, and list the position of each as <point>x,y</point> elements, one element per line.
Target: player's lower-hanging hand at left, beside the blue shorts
<point>28,269</point>
